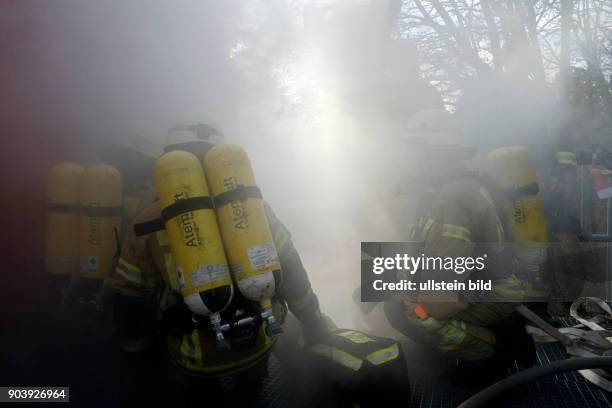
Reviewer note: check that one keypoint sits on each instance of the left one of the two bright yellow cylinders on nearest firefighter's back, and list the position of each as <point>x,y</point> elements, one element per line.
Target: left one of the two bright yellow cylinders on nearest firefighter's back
<point>201,266</point>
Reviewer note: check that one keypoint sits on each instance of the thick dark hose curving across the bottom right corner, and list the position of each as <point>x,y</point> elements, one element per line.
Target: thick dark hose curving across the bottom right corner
<point>499,388</point>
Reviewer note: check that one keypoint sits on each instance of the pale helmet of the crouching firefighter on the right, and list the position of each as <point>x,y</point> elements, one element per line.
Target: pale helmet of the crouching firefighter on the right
<point>435,129</point>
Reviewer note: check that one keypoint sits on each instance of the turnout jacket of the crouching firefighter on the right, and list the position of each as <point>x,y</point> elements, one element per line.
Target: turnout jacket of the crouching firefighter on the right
<point>462,221</point>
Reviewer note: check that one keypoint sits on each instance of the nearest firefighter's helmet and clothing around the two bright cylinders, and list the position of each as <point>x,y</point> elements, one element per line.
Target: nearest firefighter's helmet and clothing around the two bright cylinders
<point>143,287</point>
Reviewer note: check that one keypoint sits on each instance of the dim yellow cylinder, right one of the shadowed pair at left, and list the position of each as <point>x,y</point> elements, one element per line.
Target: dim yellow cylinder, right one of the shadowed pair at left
<point>100,220</point>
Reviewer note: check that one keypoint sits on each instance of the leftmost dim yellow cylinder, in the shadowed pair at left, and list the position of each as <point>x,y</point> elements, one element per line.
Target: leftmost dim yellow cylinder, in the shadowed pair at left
<point>62,239</point>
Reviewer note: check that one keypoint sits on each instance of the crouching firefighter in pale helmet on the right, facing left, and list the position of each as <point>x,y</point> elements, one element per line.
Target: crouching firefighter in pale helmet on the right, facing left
<point>478,335</point>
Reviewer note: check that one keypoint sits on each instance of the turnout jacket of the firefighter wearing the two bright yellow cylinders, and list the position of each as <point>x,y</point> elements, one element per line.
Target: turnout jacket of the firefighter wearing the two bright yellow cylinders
<point>145,281</point>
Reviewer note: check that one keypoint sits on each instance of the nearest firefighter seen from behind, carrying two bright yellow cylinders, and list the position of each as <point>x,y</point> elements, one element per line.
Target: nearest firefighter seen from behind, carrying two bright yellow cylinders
<point>220,266</point>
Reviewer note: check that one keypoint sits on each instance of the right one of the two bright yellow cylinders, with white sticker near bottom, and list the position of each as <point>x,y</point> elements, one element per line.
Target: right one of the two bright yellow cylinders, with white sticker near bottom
<point>244,226</point>
